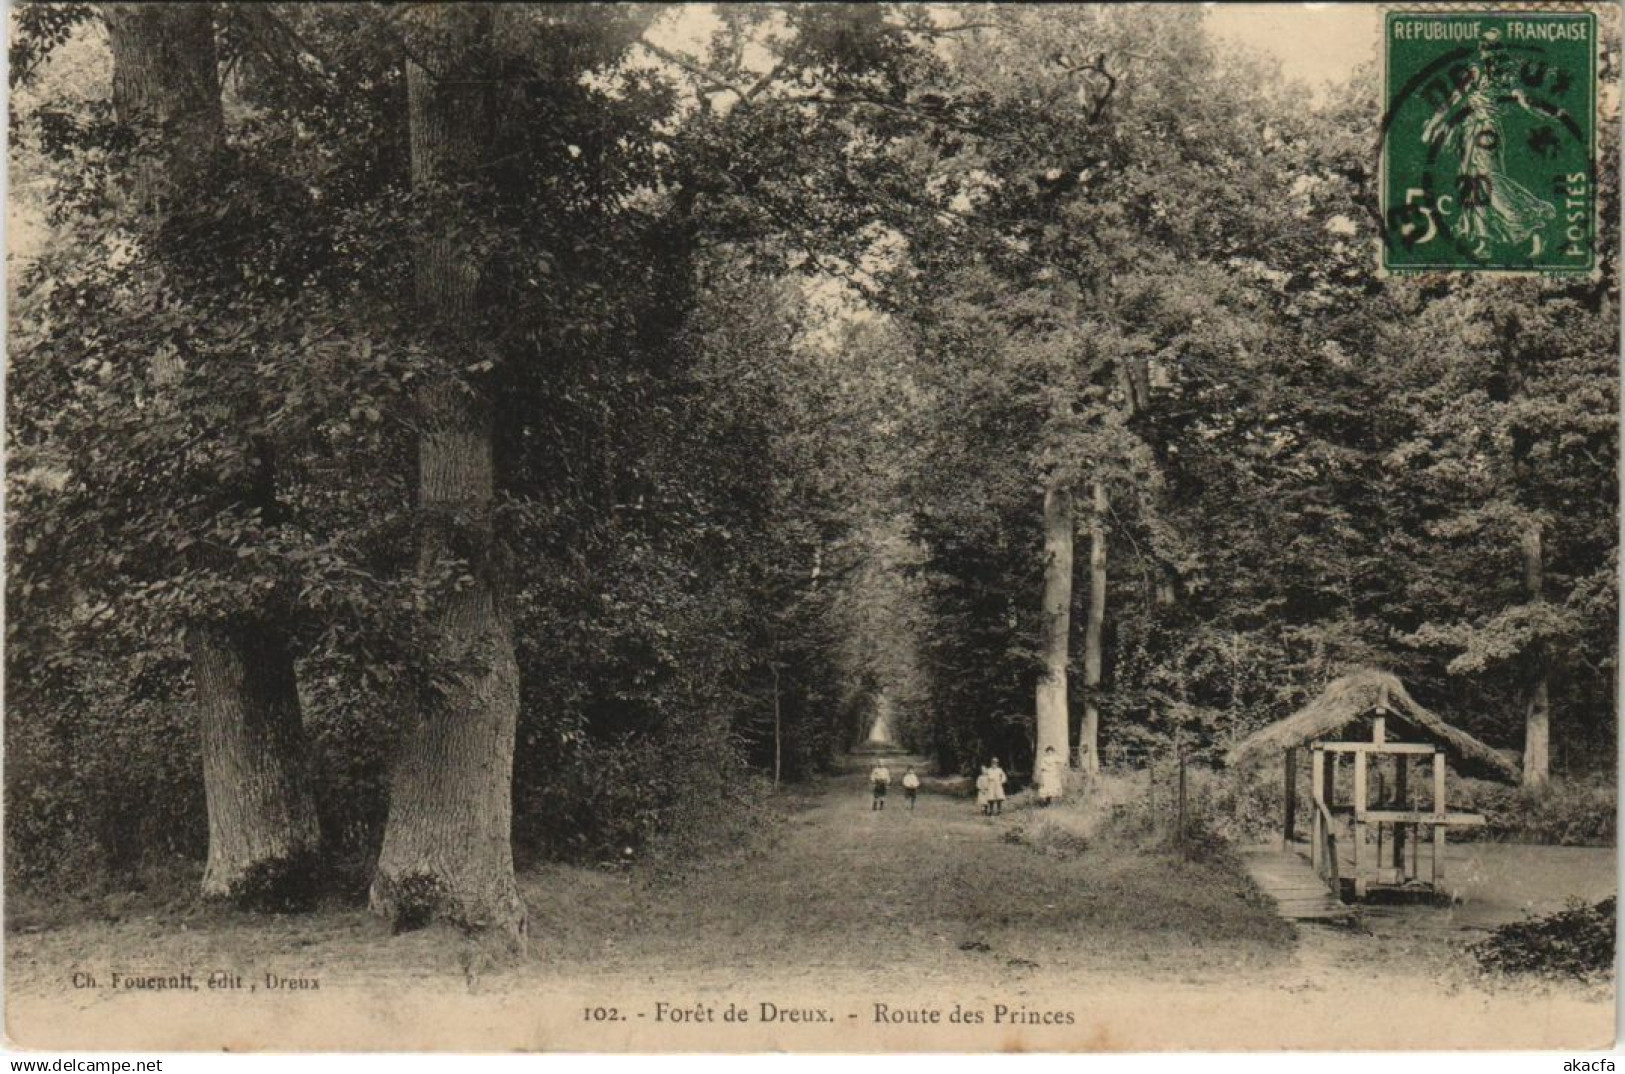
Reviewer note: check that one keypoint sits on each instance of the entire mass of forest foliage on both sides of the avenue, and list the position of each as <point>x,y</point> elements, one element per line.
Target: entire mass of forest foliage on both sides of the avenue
<point>782,332</point>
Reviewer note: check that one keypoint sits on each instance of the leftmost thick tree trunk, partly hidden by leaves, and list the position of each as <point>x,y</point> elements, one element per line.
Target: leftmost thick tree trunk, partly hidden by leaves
<point>262,821</point>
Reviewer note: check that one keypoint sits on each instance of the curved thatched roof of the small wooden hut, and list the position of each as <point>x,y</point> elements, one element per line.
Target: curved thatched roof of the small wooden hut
<point>1358,696</point>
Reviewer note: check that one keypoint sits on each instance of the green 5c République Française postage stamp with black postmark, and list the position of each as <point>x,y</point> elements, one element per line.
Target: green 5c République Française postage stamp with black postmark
<point>1489,142</point>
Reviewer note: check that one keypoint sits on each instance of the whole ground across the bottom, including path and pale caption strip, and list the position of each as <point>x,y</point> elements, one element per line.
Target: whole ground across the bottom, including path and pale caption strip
<point>841,911</point>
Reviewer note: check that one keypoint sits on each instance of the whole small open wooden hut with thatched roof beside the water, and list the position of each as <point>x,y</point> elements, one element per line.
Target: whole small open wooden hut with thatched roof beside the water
<point>1369,719</point>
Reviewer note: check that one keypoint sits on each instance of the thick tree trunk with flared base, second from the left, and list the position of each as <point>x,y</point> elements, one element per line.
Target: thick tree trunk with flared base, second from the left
<point>448,847</point>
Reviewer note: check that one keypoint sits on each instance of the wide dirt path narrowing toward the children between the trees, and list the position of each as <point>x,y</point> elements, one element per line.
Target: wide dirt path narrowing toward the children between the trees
<point>883,893</point>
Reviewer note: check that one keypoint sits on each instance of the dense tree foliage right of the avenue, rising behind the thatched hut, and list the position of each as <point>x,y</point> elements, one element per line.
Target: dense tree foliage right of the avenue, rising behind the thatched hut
<point>1322,469</point>
